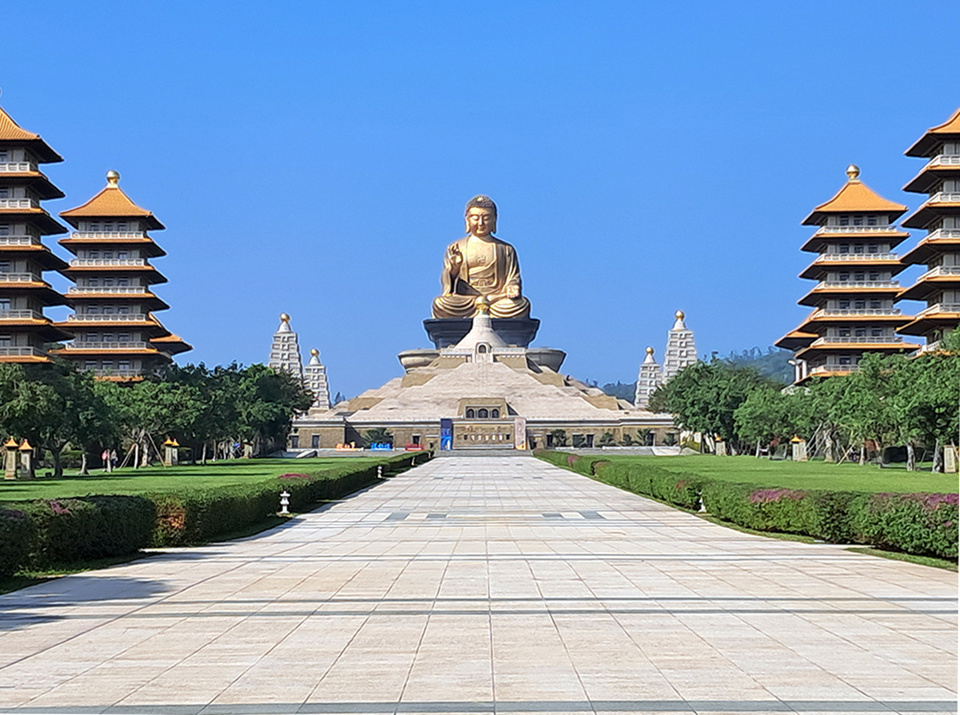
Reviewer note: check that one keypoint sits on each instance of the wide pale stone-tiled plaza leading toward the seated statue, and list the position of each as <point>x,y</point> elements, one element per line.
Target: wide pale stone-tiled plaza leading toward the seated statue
<point>480,585</point>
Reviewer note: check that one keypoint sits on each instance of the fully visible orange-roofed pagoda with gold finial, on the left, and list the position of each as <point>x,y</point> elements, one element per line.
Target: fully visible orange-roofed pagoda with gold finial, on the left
<point>117,335</point>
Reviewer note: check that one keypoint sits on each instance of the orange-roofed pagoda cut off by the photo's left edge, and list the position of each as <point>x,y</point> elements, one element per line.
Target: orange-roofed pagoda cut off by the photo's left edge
<point>24,330</point>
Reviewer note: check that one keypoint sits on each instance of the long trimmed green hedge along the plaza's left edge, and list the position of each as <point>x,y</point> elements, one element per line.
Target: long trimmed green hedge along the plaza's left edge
<point>41,533</point>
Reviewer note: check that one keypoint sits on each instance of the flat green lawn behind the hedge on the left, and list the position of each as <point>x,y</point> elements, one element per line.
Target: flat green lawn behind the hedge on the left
<point>167,479</point>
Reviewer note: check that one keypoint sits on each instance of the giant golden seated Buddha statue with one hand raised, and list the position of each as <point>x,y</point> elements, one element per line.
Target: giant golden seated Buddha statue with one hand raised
<point>480,265</point>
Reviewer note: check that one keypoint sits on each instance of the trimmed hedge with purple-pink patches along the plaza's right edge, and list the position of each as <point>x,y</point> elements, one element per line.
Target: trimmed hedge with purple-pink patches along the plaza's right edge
<point>922,524</point>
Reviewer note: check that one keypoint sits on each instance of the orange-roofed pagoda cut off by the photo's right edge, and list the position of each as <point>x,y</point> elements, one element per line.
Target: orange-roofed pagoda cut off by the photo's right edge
<point>939,250</point>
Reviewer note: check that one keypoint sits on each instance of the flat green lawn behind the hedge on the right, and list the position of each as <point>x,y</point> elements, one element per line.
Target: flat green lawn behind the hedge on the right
<point>804,475</point>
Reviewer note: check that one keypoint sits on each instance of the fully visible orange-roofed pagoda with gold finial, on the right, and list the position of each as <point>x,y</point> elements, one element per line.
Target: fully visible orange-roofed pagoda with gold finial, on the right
<point>855,291</point>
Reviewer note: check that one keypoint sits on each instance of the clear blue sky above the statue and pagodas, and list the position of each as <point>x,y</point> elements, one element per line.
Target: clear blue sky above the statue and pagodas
<point>315,157</point>
